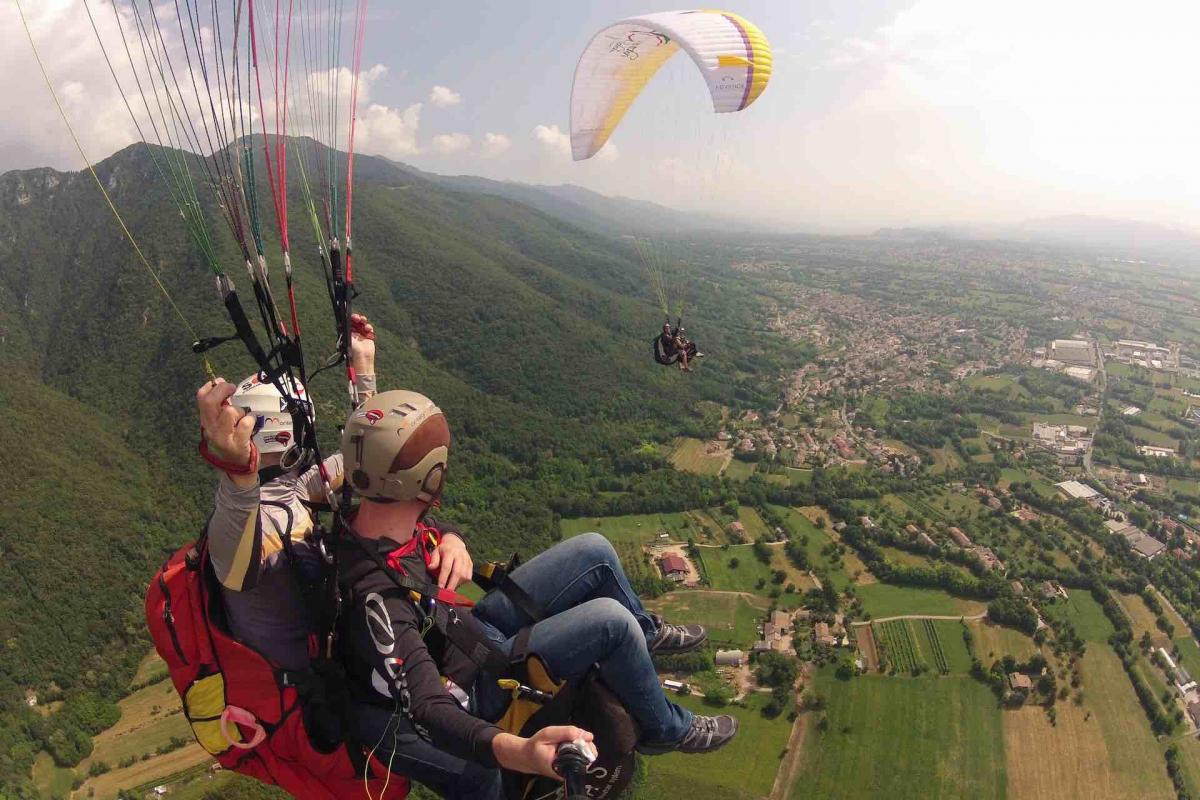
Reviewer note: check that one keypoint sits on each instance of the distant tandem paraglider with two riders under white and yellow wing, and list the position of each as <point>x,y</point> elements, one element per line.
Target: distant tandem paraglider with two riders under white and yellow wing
<point>735,61</point>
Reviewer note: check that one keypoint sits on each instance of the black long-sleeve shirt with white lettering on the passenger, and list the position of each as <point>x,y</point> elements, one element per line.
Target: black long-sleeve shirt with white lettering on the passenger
<point>391,665</point>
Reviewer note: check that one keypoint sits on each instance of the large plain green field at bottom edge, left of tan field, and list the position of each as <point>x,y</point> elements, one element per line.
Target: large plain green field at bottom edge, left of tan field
<point>904,741</point>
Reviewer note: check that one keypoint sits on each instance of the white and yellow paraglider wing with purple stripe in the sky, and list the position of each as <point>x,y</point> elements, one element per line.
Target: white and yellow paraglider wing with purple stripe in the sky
<point>731,53</point>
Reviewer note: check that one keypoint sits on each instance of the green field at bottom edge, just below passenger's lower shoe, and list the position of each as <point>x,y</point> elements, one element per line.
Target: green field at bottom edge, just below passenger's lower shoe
<point>743,771</point>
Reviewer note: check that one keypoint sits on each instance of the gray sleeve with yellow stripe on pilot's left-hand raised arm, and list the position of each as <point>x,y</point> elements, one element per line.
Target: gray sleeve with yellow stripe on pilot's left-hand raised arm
<point>236,536</point>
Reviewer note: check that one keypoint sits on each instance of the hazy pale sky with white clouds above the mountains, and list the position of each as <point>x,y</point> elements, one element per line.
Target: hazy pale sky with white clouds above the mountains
<point>879,112</point>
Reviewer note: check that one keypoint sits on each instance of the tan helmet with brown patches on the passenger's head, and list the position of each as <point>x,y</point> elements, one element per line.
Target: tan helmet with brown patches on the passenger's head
<point>397,447</point>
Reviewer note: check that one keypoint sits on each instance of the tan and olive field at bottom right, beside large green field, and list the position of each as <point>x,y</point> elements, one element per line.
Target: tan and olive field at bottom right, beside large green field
<point>1100,751</point>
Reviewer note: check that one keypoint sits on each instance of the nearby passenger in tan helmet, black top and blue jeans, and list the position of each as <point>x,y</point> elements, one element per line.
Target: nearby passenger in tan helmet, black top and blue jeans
<point>429,714</point>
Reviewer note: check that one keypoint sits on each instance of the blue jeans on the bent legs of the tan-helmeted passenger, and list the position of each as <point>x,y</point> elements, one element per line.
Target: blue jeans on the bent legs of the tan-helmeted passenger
<point>593,617</point>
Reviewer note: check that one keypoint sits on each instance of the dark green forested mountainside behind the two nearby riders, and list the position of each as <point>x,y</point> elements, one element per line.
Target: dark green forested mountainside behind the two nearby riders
<point>533,335</point>
